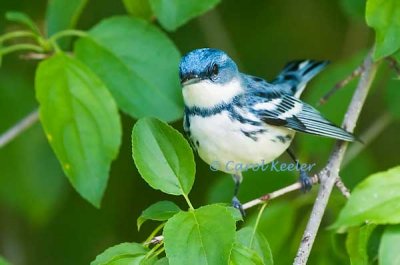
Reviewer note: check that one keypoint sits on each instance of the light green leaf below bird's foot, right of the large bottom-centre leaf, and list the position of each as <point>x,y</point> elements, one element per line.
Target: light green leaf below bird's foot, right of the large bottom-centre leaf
<point>257,242</point>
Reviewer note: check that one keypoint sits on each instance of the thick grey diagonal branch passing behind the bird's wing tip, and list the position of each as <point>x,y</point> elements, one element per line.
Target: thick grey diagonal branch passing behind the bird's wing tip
<point>330,173</point>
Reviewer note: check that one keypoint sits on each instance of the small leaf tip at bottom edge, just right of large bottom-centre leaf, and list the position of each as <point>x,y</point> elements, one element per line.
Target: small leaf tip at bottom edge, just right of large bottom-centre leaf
<point>243,255</point>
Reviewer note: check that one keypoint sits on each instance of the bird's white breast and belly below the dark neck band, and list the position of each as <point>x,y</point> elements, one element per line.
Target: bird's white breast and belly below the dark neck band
<point>221,140</point>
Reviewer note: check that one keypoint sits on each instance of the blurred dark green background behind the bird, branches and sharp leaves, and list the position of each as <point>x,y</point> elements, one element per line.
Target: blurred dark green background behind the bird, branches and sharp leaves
<point>44,221</point>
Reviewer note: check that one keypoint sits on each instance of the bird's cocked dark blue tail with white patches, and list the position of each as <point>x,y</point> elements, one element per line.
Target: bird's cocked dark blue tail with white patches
<point>296,74</point>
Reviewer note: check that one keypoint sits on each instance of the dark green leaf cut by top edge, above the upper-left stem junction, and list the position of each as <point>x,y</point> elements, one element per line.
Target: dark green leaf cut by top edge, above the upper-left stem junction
<point>63,14</point>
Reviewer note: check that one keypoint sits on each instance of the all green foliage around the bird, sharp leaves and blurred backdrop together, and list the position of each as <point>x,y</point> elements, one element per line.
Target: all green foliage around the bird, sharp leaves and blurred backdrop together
<point>43,220</point>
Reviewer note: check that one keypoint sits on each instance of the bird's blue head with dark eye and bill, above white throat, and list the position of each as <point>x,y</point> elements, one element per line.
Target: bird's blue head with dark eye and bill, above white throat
<point>207,64</point>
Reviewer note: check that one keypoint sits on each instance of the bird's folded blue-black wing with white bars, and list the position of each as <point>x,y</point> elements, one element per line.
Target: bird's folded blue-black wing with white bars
<point>292,113</point>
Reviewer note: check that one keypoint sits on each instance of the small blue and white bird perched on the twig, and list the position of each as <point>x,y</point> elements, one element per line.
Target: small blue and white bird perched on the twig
<point>234,117</point>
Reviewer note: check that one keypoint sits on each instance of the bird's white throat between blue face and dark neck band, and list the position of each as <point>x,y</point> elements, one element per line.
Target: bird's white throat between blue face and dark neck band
<point>206,94</point>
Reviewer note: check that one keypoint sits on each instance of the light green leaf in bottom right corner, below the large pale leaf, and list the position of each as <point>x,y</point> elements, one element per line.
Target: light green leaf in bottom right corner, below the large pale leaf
<point>389,248</point>
